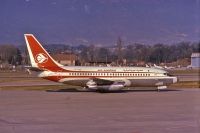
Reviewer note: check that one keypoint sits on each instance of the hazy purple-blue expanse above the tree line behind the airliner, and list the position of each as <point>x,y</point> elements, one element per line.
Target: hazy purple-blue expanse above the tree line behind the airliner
<point>100,22</point>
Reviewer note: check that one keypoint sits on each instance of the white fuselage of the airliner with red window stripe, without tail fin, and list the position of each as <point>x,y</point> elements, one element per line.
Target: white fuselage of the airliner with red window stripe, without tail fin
<point>131,76</point>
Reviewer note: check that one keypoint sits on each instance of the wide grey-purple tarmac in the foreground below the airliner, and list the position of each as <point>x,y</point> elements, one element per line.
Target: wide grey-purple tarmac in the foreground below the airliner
<point>70,111</point>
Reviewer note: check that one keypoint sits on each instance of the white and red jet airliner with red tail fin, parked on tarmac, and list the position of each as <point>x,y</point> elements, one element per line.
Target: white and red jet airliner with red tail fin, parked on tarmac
<point>94,78</point>
